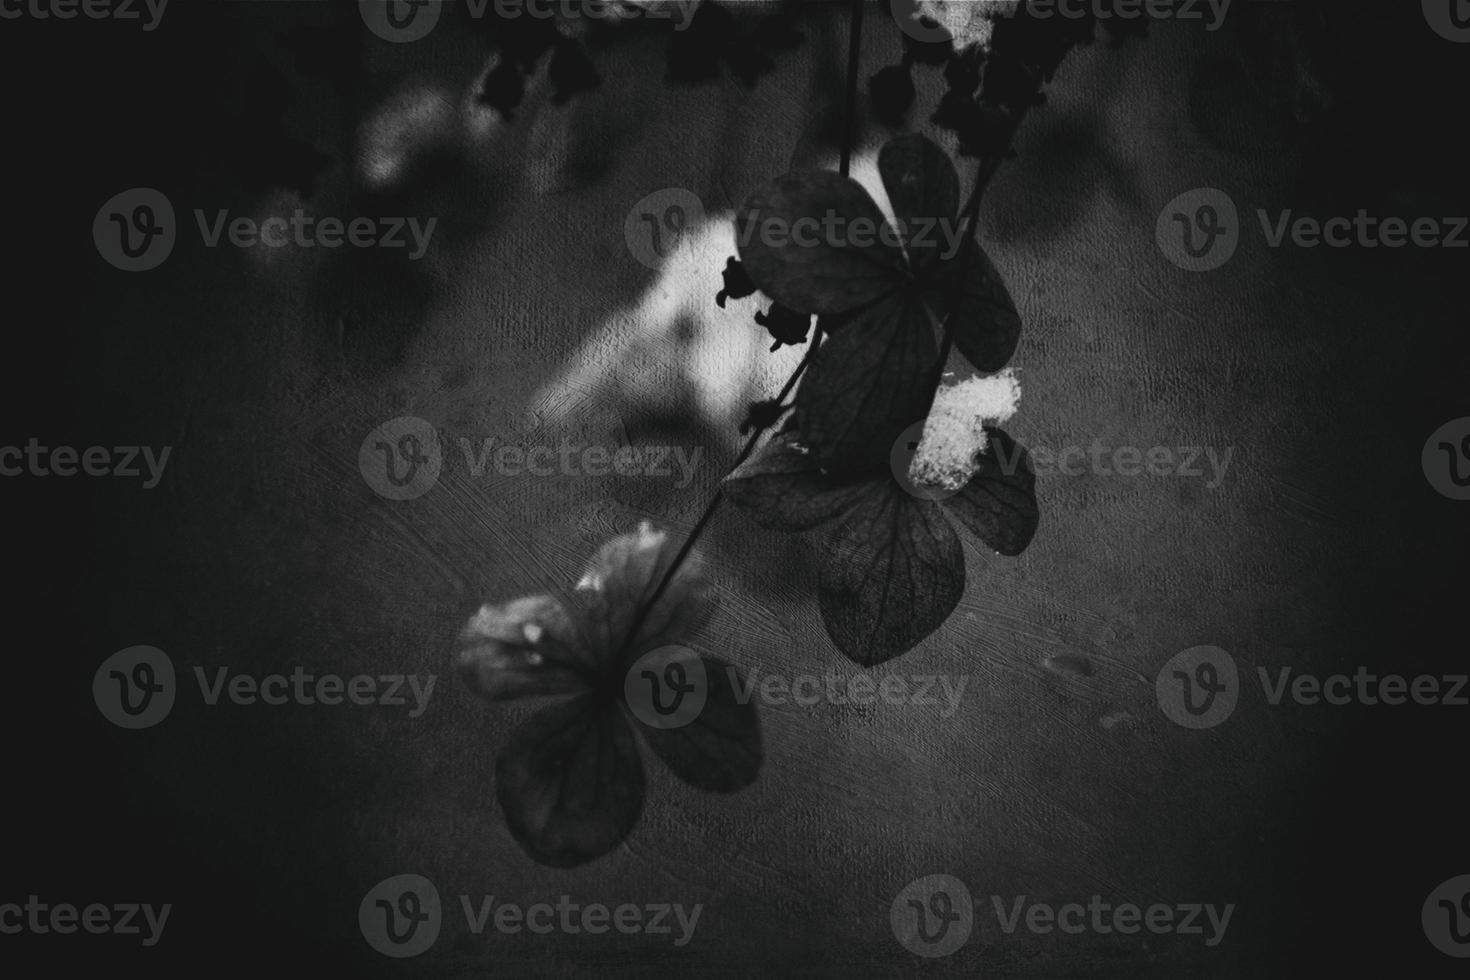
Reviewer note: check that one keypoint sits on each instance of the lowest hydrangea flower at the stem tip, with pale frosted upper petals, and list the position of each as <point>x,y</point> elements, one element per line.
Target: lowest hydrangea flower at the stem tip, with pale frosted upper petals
<point>571,781</point>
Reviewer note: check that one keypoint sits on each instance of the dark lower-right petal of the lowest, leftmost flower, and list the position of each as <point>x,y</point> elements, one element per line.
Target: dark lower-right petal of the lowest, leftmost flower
<point>721,749</point>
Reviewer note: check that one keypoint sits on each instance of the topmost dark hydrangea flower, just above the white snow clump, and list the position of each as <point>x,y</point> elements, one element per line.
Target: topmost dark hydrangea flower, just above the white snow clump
<point>880,293</point>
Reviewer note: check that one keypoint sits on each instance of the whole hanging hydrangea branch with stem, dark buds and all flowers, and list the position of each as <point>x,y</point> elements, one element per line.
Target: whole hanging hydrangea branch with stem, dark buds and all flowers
<point>883,461</point>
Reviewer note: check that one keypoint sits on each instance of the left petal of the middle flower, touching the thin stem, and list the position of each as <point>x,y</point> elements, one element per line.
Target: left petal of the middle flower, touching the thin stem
<point>784,490</point>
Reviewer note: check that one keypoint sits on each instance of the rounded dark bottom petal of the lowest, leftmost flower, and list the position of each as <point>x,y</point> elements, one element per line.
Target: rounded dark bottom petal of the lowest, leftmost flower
<point>571,782</point>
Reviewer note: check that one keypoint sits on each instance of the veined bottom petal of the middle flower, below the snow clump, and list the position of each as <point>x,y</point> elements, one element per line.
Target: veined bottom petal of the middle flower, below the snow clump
<point>893,574</point>
